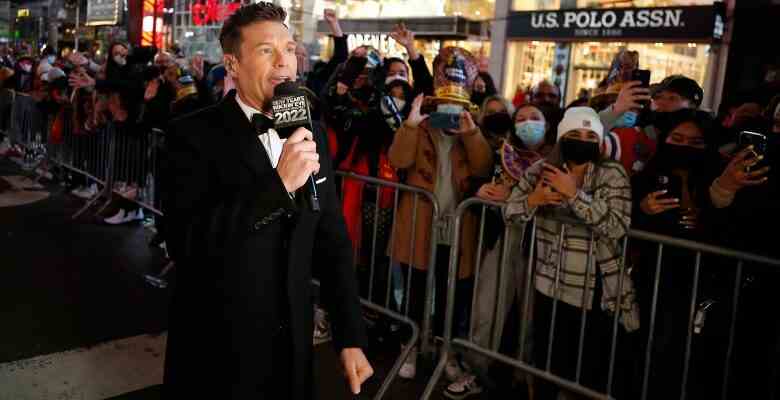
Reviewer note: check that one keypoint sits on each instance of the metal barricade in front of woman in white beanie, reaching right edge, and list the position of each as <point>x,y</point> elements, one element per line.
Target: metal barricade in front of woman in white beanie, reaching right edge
<point>516,254</point>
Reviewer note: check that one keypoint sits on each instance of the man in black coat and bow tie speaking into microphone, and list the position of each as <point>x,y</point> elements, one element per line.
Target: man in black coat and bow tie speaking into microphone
<point>244,243</point>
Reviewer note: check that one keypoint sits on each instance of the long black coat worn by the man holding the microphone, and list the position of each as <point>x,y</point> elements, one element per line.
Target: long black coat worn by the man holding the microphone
<point>232,225</point>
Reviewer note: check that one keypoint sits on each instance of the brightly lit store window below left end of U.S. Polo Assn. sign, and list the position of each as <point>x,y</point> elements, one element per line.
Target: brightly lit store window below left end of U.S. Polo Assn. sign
<point>528,63</point>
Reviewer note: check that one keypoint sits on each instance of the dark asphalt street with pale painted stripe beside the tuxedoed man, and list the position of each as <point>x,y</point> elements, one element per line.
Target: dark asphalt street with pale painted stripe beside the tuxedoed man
<point>80,322</point>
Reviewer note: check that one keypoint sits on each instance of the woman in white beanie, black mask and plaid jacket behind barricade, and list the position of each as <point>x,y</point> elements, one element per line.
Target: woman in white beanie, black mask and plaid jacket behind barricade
<point>574,181</point>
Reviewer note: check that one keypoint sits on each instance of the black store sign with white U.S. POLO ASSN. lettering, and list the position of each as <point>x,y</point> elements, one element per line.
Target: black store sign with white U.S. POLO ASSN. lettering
<point>696,23</point>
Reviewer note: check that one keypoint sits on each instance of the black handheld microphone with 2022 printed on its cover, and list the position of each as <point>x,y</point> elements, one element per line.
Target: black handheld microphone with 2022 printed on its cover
<point>291,111</point>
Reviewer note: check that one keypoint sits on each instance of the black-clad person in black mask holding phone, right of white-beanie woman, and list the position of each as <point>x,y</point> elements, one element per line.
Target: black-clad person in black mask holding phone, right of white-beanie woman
<point>671,197</point>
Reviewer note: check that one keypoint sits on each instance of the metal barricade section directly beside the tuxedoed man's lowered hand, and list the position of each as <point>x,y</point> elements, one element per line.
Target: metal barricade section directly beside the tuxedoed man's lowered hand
<point>378,252</point>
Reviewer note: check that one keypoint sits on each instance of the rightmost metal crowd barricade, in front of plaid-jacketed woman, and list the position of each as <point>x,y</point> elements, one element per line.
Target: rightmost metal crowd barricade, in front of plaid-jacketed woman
<point>489,348</point>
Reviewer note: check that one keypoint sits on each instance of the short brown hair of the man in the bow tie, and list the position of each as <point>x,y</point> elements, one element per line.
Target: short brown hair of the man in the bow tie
<point>230,36</point>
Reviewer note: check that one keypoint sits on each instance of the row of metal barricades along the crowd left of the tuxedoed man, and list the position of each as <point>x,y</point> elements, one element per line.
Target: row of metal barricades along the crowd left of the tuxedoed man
<point>124,164</point>
